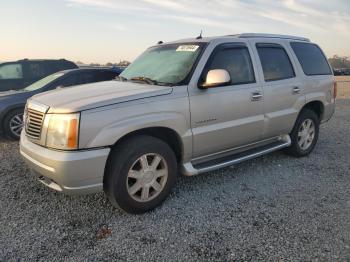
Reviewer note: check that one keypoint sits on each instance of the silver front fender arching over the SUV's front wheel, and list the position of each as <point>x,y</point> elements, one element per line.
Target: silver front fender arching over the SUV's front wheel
<point>100,129</point>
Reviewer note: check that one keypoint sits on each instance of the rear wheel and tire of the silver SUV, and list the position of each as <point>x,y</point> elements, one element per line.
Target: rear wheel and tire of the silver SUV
<point>299,132</point>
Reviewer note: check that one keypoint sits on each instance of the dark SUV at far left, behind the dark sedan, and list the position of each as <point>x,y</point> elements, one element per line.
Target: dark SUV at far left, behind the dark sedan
<point>22,73</point>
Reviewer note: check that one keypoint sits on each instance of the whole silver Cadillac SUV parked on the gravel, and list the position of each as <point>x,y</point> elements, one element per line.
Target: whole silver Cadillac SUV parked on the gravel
<point>195,105</point>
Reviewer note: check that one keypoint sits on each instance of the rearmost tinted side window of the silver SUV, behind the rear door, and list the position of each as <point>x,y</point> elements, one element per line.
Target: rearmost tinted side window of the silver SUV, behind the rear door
<point>311,59</point>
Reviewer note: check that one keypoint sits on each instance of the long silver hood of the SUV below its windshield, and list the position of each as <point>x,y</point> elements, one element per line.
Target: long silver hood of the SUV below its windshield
<point>84,97</point>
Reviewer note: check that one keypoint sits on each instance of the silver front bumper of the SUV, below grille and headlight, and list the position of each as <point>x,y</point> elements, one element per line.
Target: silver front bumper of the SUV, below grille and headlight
<point>79,172</point>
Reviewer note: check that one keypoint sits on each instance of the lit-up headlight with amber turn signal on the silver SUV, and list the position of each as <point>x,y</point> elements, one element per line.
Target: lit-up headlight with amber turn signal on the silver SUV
<point>63,131</point>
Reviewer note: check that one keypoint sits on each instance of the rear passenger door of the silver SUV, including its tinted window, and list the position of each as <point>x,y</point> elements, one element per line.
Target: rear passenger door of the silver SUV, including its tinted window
<point>282,86</point>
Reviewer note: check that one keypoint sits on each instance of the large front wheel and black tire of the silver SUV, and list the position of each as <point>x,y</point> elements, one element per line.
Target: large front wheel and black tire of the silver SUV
<point>134,163</point>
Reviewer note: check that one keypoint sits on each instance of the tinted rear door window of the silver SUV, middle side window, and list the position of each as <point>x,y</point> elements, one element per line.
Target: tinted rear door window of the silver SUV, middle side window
<point>275,62</point>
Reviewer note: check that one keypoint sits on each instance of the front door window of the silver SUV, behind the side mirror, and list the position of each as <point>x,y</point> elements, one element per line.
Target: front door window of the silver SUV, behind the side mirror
<point>236,60</point>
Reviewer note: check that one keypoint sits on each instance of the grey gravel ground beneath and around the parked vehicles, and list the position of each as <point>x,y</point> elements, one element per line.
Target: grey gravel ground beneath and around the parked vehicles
<point>272,208</point>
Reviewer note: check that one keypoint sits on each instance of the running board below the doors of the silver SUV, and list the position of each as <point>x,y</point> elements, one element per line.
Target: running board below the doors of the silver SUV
<point>191,170</point>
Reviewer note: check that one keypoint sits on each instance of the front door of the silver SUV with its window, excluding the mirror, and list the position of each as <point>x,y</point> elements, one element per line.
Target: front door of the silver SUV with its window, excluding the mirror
<point>231,115</point>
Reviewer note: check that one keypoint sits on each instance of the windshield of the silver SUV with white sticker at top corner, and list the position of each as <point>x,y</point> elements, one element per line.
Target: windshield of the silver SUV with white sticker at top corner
<point>169,64</point>
